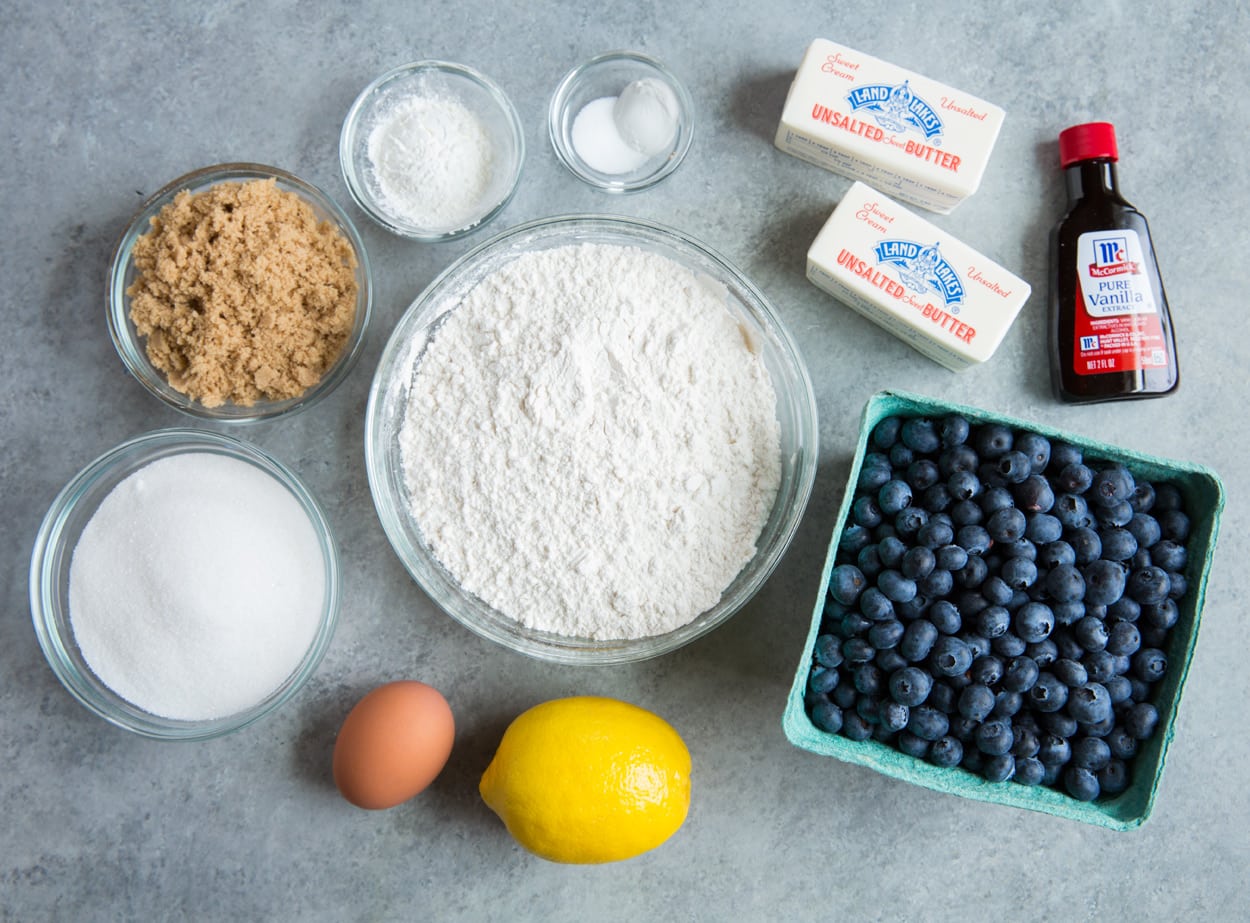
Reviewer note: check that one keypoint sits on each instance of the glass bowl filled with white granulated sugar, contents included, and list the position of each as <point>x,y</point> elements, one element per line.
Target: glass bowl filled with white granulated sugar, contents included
<point>184,585</point>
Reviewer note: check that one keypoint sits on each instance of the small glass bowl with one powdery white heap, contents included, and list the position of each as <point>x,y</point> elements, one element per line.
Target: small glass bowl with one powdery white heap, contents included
<point>432,151</point>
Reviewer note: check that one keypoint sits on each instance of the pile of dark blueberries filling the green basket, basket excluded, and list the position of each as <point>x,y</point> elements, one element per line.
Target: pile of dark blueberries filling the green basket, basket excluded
<point>1001,603</point>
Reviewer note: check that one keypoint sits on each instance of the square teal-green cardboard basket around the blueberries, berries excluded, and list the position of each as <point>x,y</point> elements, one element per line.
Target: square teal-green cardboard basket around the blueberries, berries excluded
<point>1204,501</point>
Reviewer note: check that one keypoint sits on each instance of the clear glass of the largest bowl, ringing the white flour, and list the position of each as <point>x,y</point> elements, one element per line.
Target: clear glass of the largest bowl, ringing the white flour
<point>563,648</point>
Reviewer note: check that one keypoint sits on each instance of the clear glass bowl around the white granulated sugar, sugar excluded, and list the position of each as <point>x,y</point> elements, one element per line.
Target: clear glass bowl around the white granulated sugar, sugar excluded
<point>51,568</point>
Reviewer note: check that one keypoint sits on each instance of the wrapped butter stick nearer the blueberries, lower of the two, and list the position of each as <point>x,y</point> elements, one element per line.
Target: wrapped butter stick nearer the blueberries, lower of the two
<point>927,288</point>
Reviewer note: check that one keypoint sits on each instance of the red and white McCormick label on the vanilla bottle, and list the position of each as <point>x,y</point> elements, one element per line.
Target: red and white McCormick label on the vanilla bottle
<point>1119,327</point>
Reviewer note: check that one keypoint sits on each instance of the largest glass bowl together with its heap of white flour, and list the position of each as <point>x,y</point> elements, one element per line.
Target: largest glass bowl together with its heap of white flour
<point>591,440</point>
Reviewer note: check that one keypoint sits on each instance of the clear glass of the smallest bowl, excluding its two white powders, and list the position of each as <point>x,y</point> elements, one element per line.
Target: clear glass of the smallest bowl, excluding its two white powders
<point>607,77</point>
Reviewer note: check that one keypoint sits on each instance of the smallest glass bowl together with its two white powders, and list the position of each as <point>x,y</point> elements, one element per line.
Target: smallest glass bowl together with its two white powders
<point>622,122</point>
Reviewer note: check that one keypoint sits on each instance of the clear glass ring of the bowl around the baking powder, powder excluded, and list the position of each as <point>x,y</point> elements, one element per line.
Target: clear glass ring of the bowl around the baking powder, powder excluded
<point>369,96</point>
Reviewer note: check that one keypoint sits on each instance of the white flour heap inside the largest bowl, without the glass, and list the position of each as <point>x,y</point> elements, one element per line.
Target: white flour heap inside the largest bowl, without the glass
<point>592,443</point>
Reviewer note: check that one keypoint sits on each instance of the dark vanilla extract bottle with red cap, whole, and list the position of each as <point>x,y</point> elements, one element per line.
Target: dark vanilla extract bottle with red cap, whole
<point>1111,328</point>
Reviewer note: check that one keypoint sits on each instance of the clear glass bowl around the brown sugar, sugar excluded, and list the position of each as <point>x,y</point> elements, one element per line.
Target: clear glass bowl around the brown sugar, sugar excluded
<point>132,347</point>
